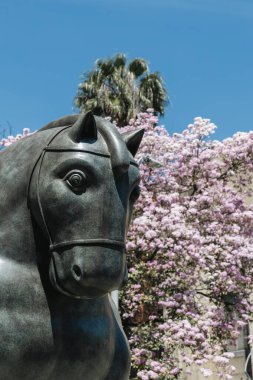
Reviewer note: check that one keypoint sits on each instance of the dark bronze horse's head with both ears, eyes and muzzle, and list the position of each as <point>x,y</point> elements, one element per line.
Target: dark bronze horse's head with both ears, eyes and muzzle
<point>81,193</point>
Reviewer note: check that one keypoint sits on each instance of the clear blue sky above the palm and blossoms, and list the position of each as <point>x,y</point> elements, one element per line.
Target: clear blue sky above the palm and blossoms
<point>202,48</point>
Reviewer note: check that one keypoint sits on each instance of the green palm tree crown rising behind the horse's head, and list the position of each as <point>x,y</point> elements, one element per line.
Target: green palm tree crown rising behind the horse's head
<point>121,90</point>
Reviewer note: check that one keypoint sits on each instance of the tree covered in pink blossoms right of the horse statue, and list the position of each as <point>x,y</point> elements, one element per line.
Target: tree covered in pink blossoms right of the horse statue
<point>190,251</point>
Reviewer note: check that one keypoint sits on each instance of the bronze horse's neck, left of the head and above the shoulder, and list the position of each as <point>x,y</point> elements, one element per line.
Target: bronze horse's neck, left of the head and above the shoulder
<point>16,229</point>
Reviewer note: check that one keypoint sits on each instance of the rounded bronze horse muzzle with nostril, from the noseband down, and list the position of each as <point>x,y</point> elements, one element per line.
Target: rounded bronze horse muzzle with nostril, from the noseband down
<point>87,268</point>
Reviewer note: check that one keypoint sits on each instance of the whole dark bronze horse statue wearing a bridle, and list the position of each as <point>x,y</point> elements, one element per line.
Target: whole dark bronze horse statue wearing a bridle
<point>67,193</point>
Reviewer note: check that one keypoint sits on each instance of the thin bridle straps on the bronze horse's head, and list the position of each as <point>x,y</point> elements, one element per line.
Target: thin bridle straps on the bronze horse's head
<point>54,148</point>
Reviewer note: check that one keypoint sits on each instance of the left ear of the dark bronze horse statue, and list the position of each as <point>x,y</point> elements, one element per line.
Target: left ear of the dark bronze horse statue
<point>84,128</point>
